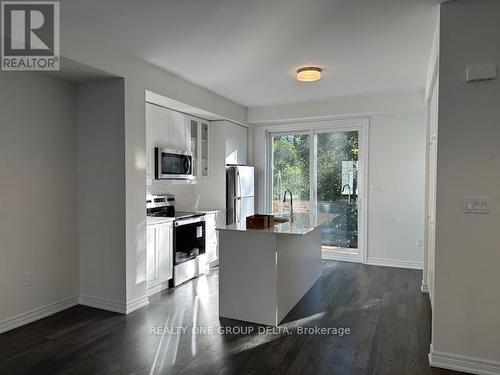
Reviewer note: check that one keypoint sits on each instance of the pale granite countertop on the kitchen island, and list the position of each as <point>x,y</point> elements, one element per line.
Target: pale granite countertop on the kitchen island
<point>303,223</point>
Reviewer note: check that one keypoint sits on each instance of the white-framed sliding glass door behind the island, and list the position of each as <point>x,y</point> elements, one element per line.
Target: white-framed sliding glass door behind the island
<point>323,168</point>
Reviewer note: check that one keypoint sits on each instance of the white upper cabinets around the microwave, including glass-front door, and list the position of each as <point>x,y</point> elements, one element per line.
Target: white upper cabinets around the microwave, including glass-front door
<point>171,129</point>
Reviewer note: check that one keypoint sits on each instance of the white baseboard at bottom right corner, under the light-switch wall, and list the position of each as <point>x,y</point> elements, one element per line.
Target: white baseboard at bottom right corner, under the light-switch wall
<point>463,363</point>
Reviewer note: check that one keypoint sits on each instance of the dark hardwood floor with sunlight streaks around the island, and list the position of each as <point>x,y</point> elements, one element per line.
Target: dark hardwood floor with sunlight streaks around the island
<point>388,318</point>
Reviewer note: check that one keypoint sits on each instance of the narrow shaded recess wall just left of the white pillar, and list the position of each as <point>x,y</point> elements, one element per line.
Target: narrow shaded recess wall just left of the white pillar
<point>101,191</point>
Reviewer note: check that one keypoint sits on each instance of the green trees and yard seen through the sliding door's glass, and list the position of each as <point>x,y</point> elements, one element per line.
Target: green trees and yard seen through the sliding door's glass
<point>291,171</point>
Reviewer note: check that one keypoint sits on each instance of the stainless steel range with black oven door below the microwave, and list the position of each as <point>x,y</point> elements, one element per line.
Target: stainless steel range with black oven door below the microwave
<point>189,255</point>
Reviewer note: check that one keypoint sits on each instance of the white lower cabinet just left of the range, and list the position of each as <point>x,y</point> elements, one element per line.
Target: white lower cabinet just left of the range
<point>159,253</point>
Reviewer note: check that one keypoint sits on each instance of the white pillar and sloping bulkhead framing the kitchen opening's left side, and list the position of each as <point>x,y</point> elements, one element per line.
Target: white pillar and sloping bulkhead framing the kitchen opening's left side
<point>139,77</point>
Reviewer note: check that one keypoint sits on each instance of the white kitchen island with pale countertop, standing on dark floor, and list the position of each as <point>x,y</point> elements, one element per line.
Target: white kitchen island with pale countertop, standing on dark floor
<point>263,273</point>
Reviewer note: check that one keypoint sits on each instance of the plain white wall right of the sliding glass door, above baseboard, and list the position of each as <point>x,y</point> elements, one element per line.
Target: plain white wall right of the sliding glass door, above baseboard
<point>396,188</point>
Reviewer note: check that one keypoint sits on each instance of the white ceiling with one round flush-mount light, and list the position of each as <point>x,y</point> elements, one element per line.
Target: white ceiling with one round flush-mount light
<point>248,50</point>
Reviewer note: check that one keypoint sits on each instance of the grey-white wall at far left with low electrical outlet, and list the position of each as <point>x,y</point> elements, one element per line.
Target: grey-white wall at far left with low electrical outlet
<point>38,192</point>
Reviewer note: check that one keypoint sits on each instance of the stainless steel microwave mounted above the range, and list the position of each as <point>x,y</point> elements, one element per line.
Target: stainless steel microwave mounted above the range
<point>173,164</point>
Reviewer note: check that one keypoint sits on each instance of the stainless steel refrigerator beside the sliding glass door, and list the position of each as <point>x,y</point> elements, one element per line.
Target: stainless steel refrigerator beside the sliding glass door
<point>239,193</point>
